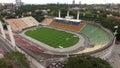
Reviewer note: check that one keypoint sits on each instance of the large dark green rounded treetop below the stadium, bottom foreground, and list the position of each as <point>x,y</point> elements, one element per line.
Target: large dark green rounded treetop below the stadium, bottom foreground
<point>86,61</point>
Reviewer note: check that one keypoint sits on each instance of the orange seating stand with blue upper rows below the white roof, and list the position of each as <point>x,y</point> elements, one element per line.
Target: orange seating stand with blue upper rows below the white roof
<point>67,26</point>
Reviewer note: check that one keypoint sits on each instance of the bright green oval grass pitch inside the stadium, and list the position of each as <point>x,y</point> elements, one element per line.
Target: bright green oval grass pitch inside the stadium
<point>52,37</point>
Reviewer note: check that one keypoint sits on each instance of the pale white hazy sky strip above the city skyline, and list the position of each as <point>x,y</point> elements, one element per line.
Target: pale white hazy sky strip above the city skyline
<point>62,1</point>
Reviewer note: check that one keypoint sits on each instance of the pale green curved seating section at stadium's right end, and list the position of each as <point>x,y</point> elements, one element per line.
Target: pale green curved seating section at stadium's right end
<point>96,35</point>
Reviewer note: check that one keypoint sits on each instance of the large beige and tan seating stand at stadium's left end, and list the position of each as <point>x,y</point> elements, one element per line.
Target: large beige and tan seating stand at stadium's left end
<point>22,23</point>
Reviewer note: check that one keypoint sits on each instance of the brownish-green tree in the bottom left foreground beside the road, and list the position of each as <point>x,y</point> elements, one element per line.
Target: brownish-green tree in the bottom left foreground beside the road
<point>18,59</point>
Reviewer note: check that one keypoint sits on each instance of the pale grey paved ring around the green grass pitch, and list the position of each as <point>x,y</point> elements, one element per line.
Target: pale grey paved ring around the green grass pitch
<point>58,50</point>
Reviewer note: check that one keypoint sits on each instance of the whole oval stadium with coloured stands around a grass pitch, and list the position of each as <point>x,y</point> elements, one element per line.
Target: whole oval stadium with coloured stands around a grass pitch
<point>57,38</point>
